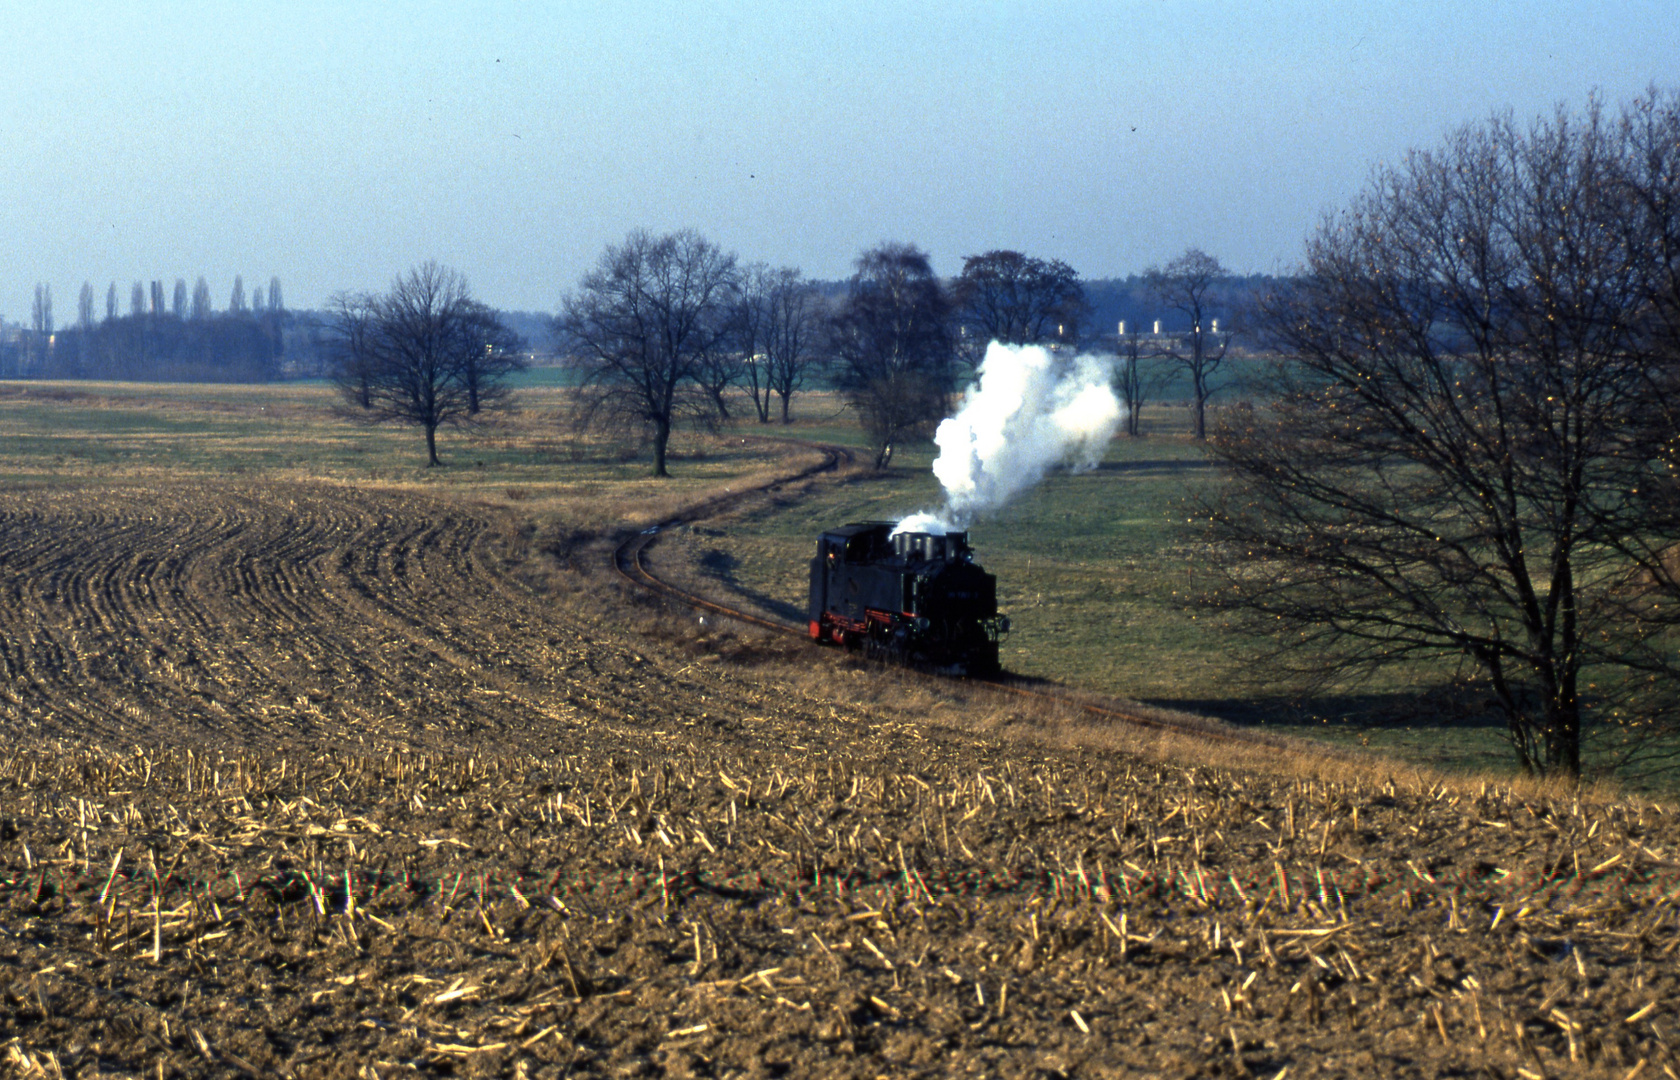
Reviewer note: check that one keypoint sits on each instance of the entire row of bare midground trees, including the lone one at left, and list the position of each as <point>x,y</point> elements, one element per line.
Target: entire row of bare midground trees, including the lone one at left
<point>671,330</point>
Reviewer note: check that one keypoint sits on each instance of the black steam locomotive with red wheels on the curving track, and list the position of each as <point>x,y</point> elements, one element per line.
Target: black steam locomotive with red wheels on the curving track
<point>916,599</point>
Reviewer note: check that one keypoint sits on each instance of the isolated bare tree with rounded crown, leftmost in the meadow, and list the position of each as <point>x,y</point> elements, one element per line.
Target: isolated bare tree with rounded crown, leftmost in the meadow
<point>419,354</point>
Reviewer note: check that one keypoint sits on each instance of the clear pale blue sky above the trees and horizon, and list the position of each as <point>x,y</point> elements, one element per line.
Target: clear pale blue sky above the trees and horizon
<point>335,145</point>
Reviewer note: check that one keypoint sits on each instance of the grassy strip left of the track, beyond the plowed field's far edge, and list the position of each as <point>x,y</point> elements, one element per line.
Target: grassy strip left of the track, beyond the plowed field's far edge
<point>120,433</point>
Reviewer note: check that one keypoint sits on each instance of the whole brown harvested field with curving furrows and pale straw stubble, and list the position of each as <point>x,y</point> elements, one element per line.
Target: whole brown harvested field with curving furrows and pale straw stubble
<point>305,782</point>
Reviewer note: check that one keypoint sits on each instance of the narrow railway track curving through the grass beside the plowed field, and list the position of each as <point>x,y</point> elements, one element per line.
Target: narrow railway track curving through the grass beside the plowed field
<point>629,564</point>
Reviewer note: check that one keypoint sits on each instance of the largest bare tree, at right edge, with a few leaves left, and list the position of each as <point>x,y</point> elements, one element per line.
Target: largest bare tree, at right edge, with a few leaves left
<point>1464,461</point>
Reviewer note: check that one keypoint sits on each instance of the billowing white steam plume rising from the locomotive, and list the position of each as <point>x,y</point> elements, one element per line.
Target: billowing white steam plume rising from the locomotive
<point>1029,412</point>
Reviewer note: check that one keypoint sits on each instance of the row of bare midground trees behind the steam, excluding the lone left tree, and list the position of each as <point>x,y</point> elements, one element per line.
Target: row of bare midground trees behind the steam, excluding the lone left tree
<point>666,327</point>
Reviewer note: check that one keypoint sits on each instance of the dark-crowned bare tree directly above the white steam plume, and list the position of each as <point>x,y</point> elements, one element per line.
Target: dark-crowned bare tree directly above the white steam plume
<point>1017,300</point>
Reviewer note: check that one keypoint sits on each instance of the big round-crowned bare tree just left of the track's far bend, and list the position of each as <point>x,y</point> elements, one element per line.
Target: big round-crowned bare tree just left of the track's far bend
<point>639,328</point>
